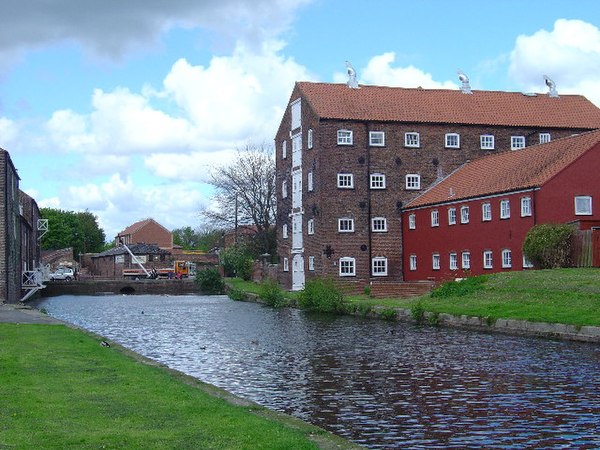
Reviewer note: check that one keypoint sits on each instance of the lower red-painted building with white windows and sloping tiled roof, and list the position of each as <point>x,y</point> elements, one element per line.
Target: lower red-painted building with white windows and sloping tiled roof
<point>476,219</point>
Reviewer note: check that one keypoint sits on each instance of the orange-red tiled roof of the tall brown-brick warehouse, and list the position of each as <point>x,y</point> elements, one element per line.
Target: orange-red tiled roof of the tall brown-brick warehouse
<point>380,103</point>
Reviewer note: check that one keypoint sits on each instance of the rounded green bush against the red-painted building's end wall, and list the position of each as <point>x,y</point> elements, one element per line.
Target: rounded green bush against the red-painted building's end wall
<point>549,246</point>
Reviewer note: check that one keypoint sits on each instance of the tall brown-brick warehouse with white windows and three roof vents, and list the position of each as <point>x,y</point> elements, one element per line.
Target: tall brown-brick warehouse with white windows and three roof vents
<point>348,160</point>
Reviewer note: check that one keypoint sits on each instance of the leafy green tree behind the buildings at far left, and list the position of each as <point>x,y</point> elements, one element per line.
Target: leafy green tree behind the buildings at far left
<point>79,230</point>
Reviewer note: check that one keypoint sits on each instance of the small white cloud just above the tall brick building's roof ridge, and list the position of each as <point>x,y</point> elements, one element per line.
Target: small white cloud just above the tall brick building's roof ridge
<point>379,71</point>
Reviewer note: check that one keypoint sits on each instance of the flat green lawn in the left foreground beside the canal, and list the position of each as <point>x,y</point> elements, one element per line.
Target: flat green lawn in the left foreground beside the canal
<point>61,389</point>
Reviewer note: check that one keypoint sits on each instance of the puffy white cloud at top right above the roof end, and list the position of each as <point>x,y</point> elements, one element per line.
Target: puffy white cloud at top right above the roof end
<point>569,54</point>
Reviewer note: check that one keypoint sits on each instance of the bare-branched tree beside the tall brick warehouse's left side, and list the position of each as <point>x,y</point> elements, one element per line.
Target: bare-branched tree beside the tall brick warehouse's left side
<point>245,195</point>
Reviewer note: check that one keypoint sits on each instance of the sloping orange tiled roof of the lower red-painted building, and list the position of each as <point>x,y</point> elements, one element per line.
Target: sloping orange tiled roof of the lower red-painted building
<point>508,171</point>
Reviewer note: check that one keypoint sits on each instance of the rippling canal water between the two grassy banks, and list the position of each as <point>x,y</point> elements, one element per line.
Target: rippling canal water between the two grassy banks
<point>380,384</point>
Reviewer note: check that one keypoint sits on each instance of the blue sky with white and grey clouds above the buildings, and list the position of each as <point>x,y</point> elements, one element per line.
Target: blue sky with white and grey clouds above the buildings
<point>123,107</point>
